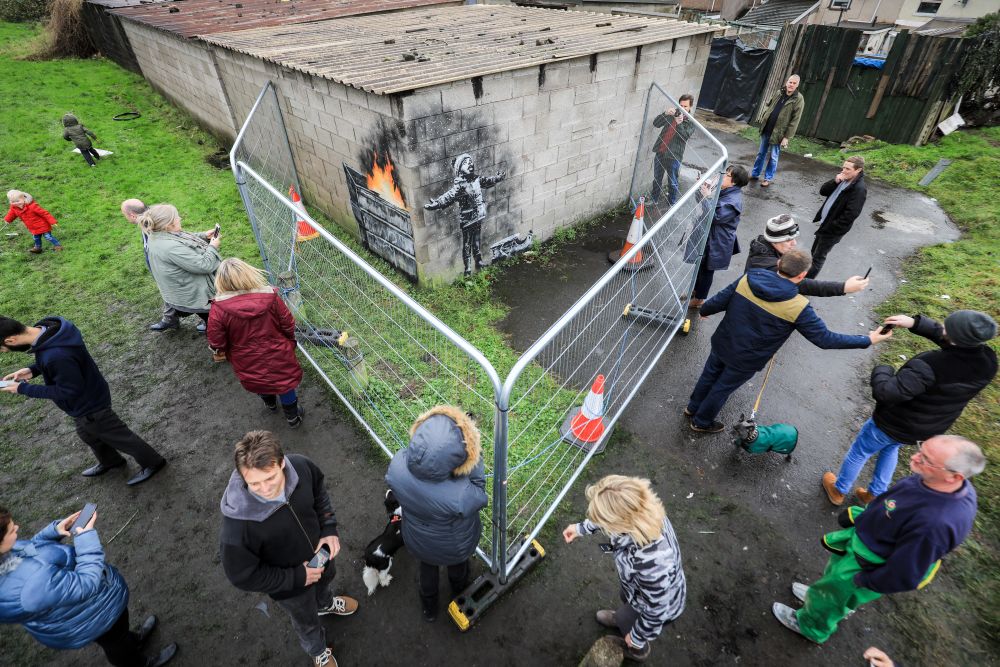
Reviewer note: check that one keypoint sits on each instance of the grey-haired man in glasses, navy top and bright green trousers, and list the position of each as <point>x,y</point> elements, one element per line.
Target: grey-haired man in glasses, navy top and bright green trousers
<point>896,543</point>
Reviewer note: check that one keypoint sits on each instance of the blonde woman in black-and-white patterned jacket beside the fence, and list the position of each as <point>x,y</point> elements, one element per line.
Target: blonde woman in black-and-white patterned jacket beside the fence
<point>647,556</point>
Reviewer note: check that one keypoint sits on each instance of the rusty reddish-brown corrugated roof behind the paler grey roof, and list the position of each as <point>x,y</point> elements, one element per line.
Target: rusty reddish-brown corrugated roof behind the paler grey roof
<point>190,18</point>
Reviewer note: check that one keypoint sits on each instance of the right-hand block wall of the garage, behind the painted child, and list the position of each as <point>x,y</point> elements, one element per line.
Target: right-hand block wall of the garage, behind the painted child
<point>566,137</point>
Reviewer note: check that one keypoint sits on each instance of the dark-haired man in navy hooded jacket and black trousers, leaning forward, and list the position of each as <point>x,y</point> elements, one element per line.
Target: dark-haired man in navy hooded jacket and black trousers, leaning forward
<point>75,384</point>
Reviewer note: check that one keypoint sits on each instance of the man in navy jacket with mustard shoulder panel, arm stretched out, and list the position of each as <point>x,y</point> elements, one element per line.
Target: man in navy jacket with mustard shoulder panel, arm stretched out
<point>762,310</point>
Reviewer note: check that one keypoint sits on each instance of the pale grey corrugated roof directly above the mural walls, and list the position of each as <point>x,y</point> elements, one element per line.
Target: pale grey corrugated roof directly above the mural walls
<point>422,48</point>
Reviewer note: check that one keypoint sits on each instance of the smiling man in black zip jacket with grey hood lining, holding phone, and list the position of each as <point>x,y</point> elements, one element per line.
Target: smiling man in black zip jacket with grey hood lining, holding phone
<point>277,515</point>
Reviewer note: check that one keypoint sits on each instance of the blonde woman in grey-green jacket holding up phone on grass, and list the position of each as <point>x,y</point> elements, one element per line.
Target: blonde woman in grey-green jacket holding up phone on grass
<point>183,265</point>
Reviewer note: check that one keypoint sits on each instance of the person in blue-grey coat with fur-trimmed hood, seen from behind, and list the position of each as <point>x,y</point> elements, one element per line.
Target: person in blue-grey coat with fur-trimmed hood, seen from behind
<point>440,484</point>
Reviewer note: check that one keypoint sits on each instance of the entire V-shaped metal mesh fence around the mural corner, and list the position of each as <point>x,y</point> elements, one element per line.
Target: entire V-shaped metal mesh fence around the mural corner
<point>388,359</point>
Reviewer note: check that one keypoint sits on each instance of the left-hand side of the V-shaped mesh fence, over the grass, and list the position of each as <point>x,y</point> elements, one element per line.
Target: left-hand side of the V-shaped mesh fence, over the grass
<point>397,360</point>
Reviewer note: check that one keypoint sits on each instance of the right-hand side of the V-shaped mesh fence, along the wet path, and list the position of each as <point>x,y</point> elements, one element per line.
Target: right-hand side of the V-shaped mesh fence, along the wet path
<point>618,329</point>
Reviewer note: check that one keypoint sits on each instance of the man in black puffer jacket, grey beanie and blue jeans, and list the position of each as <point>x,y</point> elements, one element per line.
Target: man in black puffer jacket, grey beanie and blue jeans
<point>922,399</point>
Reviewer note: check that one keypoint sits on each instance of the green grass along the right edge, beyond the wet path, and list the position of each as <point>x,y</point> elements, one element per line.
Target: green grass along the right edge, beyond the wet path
<point>968,272</point>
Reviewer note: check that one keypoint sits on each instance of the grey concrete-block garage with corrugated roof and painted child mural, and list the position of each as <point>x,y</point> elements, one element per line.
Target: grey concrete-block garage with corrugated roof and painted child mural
<point>544,106</point>
